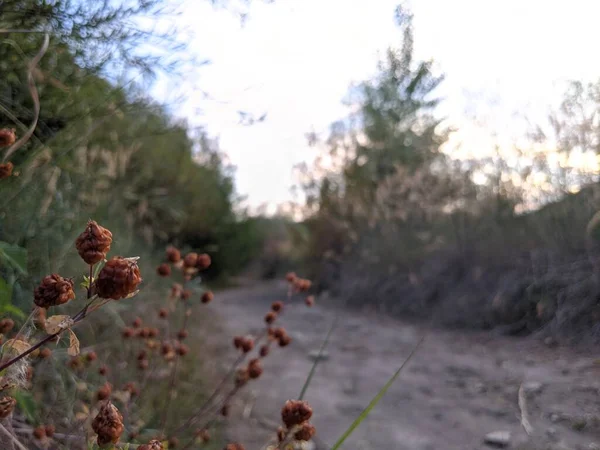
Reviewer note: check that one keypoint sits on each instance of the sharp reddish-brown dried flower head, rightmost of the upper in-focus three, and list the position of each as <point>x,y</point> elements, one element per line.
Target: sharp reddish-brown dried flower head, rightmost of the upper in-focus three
<point>118,278</point>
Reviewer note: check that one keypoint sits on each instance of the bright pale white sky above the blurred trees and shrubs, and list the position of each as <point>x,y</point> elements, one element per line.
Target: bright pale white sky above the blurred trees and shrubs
<point>506,63</point>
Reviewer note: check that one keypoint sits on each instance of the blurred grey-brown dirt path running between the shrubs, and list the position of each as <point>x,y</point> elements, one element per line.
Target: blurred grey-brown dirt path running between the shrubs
<point>459,387</point>
